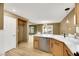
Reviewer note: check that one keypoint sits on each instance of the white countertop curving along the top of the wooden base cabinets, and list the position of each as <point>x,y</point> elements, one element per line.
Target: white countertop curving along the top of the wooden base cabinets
<point>71,42</point>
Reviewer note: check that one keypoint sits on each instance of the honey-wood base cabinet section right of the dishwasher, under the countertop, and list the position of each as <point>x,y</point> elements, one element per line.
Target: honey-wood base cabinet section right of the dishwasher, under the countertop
<point>58,48</point>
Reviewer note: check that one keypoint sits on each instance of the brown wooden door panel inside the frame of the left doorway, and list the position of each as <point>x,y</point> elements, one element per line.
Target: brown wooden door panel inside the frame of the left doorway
<point>21,31</point>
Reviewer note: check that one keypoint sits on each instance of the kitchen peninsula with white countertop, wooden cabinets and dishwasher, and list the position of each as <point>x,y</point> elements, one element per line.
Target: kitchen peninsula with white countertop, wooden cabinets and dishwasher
<point>58,45</point>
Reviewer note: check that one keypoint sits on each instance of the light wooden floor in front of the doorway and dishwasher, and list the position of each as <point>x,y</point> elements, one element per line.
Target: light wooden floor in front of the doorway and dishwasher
<point>26,49</point>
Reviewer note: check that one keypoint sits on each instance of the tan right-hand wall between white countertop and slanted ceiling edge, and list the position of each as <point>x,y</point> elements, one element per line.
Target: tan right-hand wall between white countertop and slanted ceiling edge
<point>68,27</point>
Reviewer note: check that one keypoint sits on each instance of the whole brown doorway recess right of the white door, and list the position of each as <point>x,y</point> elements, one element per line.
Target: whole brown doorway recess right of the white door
<point>22,31</point>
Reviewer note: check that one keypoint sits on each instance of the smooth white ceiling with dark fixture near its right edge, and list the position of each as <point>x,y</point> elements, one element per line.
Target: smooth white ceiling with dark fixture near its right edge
<point>40,12</point>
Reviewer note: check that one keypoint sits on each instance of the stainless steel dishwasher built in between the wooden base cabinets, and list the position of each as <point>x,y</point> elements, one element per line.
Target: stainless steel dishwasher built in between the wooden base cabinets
<point>44,44</point>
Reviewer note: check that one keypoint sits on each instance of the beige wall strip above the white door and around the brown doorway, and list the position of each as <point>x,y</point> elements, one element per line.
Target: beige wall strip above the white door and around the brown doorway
<point>22,18</point>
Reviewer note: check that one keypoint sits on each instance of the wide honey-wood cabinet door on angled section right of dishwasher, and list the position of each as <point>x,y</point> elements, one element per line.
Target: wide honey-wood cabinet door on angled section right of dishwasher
<point>57,49</point>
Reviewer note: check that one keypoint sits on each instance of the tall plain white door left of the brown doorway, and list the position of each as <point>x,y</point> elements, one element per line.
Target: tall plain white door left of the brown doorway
<point>9,33</point>
